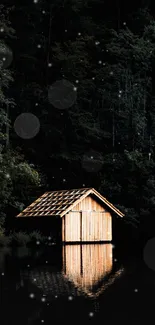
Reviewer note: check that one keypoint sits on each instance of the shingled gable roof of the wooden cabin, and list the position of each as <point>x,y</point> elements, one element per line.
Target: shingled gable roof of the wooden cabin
<point>60,202</point>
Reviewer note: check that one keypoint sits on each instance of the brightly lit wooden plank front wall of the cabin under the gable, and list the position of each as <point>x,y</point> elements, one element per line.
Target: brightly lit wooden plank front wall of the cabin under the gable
<point>87,222</point>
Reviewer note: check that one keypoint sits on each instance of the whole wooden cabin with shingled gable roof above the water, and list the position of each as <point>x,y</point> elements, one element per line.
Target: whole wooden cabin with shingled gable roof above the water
<point>72,216</point>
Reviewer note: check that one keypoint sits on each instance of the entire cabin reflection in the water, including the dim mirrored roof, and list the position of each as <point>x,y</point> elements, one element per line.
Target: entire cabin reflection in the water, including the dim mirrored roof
<point>86,270</point>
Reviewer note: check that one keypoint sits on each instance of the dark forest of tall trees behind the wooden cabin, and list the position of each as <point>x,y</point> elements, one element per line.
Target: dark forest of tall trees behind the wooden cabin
<point>77,104</point>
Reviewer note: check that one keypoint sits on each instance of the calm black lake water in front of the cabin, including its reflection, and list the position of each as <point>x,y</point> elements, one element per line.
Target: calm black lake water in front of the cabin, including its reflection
<point>75,284</point>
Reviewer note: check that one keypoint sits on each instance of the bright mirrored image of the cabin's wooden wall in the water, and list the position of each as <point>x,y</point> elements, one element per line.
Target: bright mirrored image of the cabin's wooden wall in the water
<point>87,265</point>
